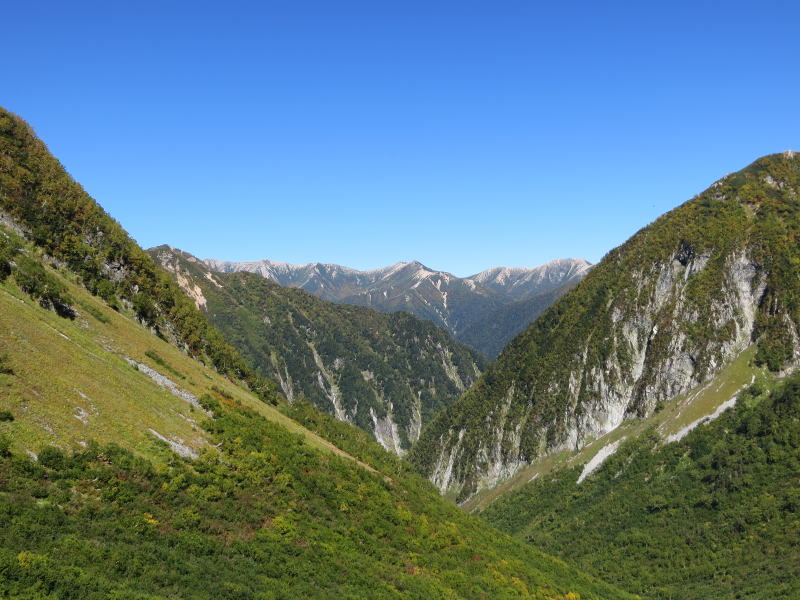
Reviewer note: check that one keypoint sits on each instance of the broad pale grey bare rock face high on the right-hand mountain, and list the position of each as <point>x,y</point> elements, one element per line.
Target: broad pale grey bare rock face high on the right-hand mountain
<point>633,385</point>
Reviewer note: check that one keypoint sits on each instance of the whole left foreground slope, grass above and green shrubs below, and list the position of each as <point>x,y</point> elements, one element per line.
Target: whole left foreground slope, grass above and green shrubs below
<point>130,470</point>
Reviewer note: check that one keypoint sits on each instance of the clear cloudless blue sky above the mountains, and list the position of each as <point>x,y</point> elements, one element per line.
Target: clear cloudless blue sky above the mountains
<point>461,134</point>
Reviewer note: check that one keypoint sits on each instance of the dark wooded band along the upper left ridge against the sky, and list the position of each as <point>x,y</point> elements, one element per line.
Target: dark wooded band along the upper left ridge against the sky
<point>68,225</point>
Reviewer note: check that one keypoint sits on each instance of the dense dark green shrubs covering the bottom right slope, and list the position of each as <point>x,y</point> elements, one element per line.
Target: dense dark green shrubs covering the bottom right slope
<point>715,515</point>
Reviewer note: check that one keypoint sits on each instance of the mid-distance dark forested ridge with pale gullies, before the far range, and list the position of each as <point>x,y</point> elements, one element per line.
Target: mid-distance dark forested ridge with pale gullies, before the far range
<point>387,373</point>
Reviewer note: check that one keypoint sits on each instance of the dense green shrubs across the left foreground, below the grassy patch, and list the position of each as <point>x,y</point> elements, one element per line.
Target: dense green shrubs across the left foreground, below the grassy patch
<point>267,515</point>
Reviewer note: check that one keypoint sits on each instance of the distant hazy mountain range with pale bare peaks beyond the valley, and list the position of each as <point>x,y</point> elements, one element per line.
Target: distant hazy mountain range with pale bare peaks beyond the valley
<point>451,302</point>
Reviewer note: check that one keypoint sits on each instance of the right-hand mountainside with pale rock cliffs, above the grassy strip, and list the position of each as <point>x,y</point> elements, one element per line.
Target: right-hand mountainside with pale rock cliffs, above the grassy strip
<point>658,316</point>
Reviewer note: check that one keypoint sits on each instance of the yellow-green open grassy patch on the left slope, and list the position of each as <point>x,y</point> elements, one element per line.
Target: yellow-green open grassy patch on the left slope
<point>58,361</point>
